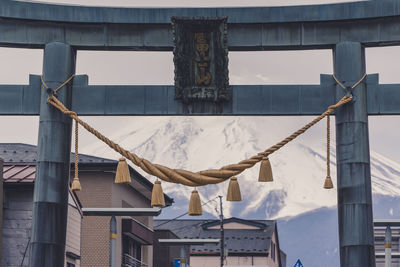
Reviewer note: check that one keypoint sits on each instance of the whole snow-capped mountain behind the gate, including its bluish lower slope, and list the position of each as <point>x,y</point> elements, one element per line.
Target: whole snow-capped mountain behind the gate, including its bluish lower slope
<point>306,213</point>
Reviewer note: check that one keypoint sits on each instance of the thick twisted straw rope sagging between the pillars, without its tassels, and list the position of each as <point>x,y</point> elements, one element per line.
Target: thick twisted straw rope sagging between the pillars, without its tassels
<point>188,178</point>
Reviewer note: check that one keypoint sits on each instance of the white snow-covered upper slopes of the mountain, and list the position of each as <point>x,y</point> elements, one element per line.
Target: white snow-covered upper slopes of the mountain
<point>197,143</point>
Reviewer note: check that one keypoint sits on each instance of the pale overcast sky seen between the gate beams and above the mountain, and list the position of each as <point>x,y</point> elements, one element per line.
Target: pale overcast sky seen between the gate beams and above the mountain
<point>263,67</point>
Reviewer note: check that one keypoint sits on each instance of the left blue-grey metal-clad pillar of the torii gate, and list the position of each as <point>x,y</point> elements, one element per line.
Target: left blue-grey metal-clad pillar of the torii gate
<point>50,206</point>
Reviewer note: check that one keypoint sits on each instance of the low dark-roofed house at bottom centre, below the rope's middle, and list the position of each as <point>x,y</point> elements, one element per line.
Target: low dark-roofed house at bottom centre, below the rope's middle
<point>247,242</point>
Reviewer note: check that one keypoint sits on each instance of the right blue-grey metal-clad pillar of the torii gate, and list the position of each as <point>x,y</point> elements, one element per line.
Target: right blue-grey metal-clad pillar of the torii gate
<point>356,235</point>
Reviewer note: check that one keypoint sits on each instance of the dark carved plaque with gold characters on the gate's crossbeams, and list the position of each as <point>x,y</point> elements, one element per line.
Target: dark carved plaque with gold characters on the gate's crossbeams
<point>201,59</point>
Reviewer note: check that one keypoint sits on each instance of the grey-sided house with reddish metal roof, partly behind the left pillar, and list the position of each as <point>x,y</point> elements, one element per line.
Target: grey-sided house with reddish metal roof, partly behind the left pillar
<point>19,174</point>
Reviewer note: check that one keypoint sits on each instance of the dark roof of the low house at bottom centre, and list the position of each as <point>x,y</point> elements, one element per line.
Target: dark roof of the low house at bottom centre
<point>238,241</point>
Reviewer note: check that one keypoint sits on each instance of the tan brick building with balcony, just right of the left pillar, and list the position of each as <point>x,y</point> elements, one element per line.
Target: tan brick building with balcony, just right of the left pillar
<point>134,234</point>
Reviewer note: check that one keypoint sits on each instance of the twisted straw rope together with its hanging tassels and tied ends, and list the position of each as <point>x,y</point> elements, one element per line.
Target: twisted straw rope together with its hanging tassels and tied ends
<point>205,177</point>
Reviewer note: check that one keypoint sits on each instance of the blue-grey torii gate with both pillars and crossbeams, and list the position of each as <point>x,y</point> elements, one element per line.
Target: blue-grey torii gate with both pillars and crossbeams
<point>346,28</point>
